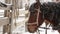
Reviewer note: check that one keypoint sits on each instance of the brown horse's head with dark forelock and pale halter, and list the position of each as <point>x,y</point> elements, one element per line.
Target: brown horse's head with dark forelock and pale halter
<point>34,19</point>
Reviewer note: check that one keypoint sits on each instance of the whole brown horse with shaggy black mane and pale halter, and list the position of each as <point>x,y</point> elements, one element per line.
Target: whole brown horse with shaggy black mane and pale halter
<point>48,13</point>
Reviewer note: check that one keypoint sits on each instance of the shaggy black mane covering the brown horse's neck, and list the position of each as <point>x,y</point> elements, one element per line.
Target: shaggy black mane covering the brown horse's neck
<point>51,11</point>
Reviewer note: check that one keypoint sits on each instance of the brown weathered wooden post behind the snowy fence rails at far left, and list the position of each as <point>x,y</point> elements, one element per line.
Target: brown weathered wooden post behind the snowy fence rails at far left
<point>7,13</point>
